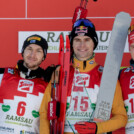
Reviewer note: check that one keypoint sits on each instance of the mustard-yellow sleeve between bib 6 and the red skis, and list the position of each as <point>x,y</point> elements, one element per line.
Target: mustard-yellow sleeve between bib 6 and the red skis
<point>44,122</point>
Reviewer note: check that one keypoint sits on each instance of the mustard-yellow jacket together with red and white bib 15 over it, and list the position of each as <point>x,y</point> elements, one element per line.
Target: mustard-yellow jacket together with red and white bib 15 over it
<point>84,83</point>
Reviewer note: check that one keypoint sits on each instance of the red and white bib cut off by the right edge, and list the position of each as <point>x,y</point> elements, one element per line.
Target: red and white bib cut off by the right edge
<point>127,85</point>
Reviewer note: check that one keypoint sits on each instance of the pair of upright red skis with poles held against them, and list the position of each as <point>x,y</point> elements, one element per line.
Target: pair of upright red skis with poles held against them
<point>60,78</point>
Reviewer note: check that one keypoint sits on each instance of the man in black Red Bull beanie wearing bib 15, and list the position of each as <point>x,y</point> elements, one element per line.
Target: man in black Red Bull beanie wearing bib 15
<point>84,82</point>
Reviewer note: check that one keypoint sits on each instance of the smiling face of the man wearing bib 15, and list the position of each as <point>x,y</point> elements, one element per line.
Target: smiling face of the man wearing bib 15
<point>83,47</point>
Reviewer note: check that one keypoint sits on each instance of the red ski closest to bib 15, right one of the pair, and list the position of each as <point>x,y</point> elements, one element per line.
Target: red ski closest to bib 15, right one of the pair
<point>65,65</point>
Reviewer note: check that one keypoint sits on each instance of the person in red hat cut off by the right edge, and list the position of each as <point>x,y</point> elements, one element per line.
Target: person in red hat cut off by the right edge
<point>127,85</point>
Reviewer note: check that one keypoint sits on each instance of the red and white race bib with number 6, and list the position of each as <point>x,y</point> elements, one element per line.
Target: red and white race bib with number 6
<point>20,101</point>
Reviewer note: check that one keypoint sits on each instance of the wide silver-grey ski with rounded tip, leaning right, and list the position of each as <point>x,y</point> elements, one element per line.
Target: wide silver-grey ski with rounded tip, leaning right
<point>112,66</point>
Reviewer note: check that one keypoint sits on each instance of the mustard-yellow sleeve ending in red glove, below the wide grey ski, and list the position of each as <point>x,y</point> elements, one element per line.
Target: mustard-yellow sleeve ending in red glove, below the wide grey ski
<point>119,115</point>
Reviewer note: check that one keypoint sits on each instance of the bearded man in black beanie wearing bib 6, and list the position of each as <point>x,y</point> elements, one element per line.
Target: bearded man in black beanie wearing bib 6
<point>22,89</point>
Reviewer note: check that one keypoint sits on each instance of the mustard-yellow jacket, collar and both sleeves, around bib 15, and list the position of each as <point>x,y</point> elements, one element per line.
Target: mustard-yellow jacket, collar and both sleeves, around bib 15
<point>119,115</point>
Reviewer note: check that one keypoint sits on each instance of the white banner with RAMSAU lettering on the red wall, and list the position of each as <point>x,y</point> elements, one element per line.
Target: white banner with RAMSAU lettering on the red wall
<point>52,38</point>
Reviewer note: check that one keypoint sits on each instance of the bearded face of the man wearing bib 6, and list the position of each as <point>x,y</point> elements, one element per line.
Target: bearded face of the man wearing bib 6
<point>33,56</point>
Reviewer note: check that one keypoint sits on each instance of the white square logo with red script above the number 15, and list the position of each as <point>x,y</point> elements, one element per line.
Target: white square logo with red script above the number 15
<point>82,79</point>
